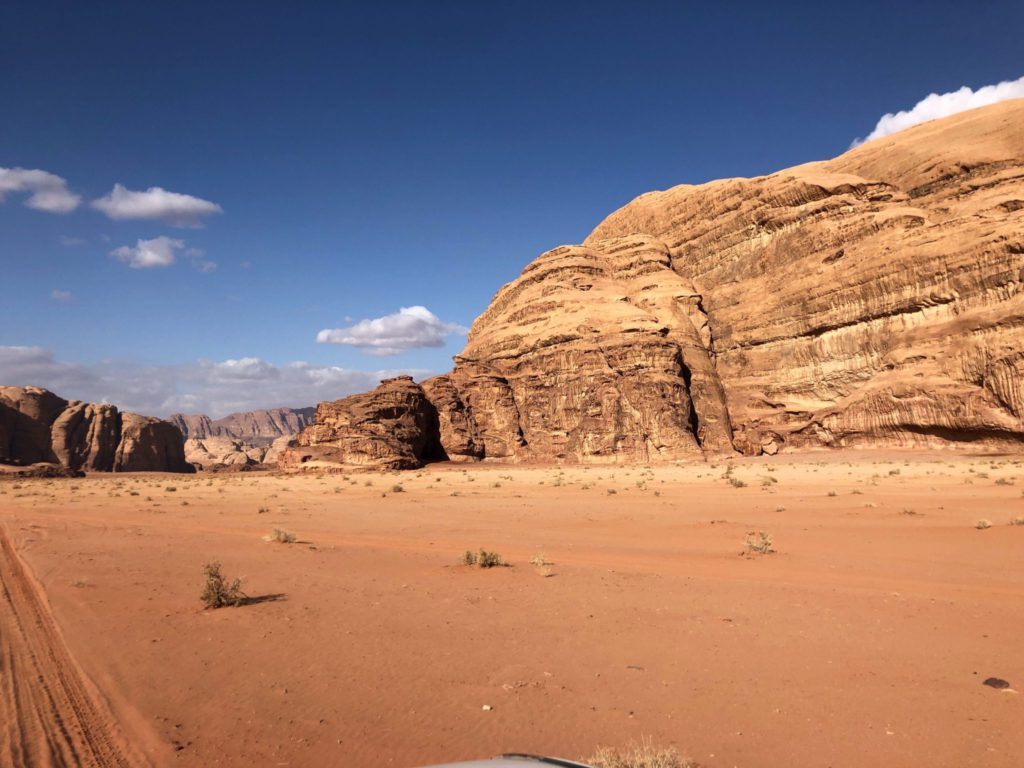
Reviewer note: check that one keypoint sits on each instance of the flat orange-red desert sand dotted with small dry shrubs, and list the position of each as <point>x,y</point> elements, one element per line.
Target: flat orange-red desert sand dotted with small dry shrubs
<point>864,641</point>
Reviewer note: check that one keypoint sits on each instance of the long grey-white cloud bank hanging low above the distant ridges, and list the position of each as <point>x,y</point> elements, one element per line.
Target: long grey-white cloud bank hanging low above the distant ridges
<point>203,387</point>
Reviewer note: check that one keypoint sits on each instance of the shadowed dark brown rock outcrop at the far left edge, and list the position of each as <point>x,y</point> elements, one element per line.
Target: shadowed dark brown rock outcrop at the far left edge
<point>39,426</point>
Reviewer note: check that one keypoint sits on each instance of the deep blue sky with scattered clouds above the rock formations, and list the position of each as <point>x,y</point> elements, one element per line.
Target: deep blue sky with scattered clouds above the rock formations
<point>368,158</point>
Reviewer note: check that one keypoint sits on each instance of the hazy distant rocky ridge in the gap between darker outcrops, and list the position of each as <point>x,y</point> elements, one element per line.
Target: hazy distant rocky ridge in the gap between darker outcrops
<point>242,440</point>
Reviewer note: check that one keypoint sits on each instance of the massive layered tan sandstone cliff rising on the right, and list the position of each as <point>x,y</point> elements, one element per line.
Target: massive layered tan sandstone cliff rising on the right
<point>872,301</point>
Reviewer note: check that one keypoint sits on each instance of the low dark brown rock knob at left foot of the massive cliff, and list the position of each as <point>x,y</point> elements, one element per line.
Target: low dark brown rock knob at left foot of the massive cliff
<point>394,428</point>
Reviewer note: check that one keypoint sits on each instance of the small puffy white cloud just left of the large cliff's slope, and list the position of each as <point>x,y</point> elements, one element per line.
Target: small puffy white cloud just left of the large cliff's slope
<point>410,328</point>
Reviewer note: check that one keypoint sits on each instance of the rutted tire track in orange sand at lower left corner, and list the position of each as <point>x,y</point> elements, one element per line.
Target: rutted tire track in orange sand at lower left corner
<point>50,715</point>
